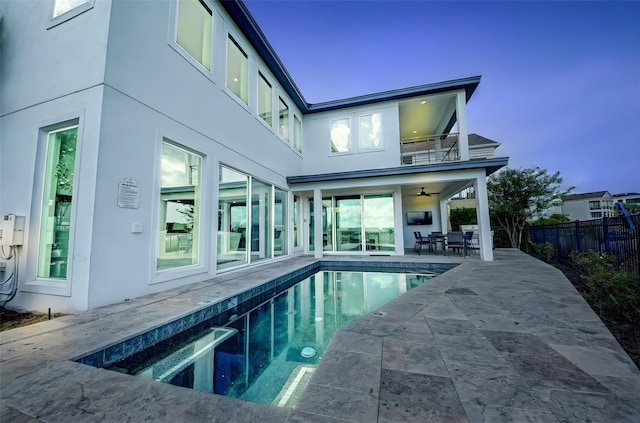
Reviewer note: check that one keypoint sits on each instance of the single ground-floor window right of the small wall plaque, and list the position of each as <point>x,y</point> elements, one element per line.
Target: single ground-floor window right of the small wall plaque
<point>179,208</point>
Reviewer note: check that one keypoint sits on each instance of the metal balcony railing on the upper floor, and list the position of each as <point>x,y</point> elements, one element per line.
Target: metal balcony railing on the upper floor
<point>432,149</point>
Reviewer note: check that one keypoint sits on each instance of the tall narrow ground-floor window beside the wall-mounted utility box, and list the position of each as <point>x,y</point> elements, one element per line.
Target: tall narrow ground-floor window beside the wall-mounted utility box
<point>55,223</point>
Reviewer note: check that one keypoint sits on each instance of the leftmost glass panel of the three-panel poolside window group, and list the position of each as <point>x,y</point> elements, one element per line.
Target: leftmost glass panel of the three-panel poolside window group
<point>232,218</point>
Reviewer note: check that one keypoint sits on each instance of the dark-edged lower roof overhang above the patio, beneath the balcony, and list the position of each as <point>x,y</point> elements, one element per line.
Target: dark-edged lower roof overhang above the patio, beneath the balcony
<point>489,165</point>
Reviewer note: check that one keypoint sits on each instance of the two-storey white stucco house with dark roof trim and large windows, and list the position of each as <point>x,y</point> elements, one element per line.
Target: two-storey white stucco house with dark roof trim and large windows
<point>146,145</point>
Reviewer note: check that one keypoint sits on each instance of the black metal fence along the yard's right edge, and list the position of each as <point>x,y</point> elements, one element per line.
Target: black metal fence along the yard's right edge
<point>606,235</point>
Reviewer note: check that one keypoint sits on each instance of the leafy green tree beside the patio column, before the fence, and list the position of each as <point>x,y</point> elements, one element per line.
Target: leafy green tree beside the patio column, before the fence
<point>517,194</point>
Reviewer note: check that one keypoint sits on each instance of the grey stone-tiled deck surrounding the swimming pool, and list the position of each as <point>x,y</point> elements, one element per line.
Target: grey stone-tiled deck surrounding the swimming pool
<point>505,341</point>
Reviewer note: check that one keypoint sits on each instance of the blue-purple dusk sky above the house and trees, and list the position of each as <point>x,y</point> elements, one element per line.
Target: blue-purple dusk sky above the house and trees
<point>560,85</point>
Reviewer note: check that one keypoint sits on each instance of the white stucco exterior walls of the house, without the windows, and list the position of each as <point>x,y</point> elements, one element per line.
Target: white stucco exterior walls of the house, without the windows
<point>116,71</point>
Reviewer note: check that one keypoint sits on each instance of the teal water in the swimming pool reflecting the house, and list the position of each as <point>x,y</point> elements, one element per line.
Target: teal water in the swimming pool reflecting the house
<point>267,352</point>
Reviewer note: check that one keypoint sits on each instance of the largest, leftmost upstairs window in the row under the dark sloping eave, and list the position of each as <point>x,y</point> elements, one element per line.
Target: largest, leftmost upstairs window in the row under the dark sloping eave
<point>194,30</point>
